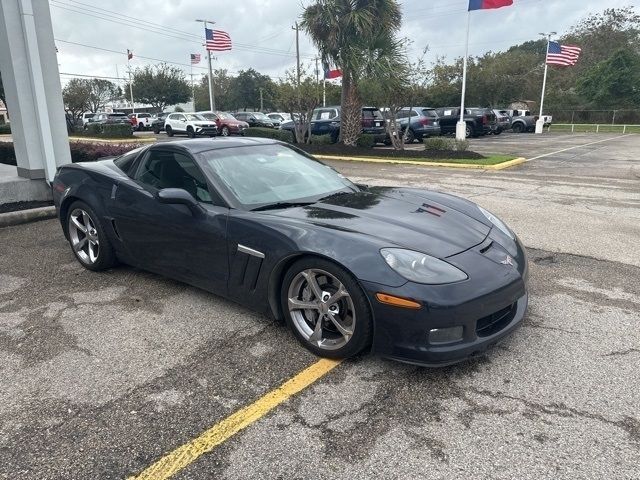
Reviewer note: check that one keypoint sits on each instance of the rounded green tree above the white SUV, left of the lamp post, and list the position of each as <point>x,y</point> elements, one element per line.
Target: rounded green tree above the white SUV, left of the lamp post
<point>160,85</point>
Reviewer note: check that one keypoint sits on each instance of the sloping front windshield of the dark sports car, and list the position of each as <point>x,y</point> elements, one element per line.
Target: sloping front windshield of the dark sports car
<point>267,174</point>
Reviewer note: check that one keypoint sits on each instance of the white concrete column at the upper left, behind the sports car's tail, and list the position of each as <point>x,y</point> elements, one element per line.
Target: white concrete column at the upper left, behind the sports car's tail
<point>31,80</point>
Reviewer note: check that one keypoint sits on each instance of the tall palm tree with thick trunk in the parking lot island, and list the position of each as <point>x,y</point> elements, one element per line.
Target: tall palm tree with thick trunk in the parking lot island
<point>359,37</point>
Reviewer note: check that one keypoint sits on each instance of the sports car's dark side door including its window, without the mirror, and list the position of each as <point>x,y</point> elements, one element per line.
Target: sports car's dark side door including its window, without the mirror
<point>170,239</point>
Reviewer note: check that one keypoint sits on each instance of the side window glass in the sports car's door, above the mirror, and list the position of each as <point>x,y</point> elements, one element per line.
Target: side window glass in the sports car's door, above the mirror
<point>164,169</point>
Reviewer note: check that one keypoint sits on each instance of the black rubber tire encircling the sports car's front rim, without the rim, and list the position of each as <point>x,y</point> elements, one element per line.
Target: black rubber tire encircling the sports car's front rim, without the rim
<point>363,325</point>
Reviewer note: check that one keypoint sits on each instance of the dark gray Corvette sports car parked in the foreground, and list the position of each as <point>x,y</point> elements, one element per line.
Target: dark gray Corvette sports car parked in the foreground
<point>414,275</point>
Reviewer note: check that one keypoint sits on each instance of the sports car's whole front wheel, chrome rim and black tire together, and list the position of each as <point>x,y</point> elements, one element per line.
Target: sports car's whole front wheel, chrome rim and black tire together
<point>326,309</point>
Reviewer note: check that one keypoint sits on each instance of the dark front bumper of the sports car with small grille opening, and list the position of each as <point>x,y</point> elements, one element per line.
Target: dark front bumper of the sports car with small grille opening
<point>489,306</point>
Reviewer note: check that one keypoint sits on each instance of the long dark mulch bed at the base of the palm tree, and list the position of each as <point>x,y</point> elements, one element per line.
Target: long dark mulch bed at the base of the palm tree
<point>338,149</point>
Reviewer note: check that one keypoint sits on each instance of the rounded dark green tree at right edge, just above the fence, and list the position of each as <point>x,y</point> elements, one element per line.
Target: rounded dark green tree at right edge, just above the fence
<point>614,82</point>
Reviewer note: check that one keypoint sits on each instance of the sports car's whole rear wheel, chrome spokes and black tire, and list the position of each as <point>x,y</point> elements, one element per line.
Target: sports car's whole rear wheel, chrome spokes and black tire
<point>88,239</point>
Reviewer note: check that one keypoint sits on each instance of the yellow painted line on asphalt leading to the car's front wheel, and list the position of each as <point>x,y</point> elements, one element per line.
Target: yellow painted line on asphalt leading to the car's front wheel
<point>183,456</point>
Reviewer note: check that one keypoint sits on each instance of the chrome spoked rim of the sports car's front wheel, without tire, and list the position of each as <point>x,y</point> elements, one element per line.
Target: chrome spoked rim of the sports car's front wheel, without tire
<point>321,309</point>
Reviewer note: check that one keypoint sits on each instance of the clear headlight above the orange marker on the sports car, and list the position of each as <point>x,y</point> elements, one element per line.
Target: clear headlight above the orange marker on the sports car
<point>421,268</point>
